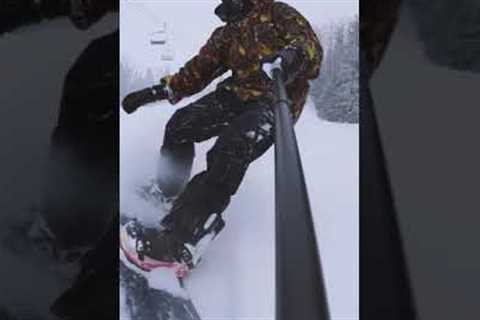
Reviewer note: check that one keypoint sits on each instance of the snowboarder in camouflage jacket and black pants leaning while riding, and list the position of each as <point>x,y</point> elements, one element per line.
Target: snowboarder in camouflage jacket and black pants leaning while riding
<point>257,35</point>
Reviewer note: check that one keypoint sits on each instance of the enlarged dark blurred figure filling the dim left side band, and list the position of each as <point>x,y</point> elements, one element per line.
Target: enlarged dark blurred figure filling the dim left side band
<point>80,202</point>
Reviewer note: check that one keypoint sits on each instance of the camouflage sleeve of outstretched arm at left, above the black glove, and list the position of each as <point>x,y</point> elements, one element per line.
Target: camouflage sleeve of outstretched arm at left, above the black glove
<point>199,71</point>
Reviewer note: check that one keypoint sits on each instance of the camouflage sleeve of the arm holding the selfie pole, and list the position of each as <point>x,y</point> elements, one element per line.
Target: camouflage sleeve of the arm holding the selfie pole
<point>297,32</point>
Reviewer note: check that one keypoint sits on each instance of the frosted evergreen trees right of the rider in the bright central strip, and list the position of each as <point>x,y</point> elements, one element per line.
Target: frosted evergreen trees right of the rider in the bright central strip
<point>336,91</point>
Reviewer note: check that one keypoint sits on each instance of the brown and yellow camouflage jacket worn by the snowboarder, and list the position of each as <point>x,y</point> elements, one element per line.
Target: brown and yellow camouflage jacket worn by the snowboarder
<point>242,46</point>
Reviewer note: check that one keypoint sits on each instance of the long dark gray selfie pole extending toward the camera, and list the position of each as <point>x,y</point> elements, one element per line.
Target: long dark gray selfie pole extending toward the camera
<point>300,291</point>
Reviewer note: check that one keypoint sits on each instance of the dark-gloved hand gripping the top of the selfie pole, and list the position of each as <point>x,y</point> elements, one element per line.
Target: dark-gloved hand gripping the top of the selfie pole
<point>289,59</point>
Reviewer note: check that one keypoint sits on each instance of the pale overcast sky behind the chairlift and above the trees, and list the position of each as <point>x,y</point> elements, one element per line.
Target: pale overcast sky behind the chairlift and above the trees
<point>192,21</point>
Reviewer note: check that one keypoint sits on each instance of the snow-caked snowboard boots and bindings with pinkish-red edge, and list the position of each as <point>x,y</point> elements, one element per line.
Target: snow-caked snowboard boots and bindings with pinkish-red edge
<point>148,249</point>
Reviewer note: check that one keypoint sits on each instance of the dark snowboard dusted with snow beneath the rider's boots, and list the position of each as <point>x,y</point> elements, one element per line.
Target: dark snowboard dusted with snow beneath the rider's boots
<point>145,297</point>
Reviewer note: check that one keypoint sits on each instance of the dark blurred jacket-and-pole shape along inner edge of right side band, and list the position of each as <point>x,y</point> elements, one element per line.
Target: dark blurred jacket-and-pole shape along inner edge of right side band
<point>385,291</point>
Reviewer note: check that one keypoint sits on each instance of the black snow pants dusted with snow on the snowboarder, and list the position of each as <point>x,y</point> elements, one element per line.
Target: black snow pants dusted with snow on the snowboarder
<point>245,130</point>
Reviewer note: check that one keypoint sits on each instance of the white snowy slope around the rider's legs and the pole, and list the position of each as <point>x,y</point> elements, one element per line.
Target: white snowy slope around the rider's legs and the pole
<point>236,277</point>
